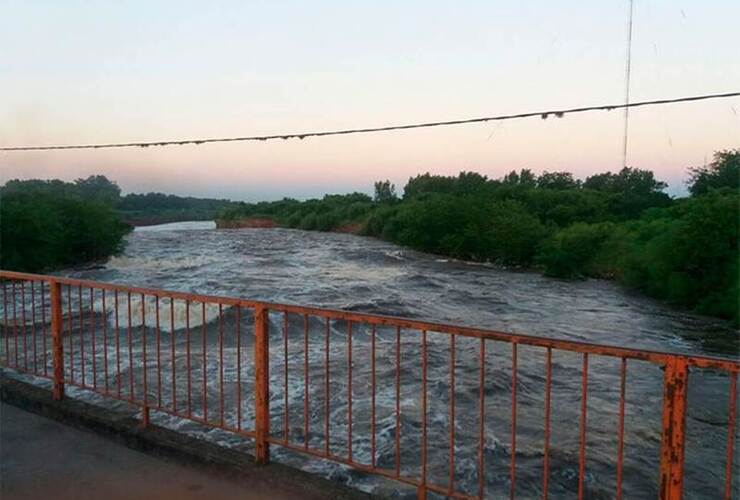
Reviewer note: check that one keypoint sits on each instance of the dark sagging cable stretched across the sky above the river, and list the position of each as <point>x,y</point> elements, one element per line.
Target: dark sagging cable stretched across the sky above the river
<point>559,113</point>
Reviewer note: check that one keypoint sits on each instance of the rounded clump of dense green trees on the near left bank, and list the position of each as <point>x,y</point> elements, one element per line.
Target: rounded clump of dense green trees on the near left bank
<point>51,224</point>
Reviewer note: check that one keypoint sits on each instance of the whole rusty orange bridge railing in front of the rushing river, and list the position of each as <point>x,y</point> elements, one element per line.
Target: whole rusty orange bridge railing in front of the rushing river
<point>394,397</point>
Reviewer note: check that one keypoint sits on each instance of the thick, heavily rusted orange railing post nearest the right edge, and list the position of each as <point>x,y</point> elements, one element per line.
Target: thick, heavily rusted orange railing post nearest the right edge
<point>675,386</point>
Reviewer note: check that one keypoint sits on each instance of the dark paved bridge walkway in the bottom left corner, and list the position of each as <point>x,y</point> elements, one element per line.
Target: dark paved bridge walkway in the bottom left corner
<point>44,459</point>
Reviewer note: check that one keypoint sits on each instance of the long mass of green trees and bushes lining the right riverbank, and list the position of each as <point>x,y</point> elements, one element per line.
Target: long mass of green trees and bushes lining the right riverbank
<point>611,225</point>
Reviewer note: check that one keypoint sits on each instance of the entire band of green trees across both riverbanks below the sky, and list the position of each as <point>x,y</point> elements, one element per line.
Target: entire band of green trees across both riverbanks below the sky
<point>617,225</point>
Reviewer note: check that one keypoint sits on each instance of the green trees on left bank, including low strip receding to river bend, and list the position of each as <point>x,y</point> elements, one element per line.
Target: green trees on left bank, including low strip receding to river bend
<point>51,224</point>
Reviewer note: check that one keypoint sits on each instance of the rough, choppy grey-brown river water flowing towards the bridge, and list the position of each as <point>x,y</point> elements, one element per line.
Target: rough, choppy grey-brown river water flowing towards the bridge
<point>342,271</point>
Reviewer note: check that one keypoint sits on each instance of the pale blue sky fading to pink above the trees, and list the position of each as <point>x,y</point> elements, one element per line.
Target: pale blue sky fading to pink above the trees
<point>94,71</point>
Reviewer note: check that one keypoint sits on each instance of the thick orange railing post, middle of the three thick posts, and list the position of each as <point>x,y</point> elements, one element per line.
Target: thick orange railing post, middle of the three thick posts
<point>262,388</point>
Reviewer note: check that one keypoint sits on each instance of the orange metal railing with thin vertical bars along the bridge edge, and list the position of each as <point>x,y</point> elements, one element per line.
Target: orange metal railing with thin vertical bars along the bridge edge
<point>61,329</point>
